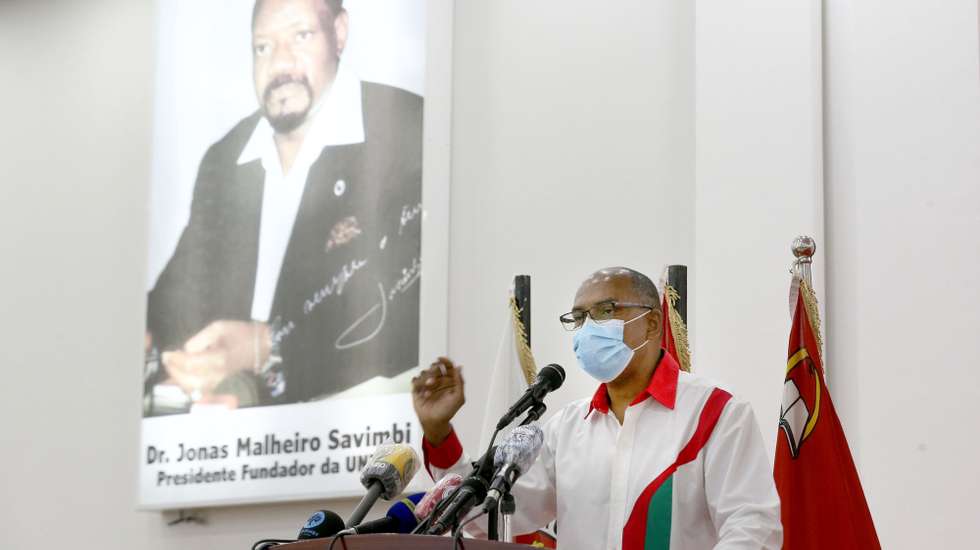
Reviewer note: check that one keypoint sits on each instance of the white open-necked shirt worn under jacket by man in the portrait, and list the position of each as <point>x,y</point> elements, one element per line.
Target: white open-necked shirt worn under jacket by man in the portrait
<point>337,120</point>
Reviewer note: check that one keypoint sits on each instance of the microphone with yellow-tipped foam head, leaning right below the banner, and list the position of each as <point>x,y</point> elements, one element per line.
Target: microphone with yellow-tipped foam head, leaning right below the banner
<point>388,472</point>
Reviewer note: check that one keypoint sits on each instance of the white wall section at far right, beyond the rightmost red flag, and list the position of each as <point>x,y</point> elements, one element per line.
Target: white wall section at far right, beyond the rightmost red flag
<point>903,189</point>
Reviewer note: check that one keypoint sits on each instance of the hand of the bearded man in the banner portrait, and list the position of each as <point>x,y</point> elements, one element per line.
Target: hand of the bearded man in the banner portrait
<point>221,349</point>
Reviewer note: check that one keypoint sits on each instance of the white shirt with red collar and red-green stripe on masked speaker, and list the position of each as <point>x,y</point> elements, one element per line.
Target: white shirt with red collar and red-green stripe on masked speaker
<point>686,470</point>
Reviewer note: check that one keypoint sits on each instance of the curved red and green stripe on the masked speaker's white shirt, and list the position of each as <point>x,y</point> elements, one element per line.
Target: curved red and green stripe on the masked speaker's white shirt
<point>648,527</point>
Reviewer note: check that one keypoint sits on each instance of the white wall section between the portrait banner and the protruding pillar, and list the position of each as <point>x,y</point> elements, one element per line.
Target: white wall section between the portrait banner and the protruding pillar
<point>572,151</point>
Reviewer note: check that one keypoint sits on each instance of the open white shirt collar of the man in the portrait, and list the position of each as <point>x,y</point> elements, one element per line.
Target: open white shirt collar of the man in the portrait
<point>338,120</point>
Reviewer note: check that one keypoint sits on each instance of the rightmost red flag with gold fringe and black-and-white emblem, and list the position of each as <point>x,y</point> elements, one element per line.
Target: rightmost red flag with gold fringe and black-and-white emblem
<point>823,504</point>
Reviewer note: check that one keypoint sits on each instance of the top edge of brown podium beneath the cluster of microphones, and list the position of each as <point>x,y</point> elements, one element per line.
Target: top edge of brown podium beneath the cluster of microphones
<point>400,542</point>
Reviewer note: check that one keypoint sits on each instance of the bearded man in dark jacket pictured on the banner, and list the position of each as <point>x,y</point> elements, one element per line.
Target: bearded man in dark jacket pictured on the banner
<point>297,273</point>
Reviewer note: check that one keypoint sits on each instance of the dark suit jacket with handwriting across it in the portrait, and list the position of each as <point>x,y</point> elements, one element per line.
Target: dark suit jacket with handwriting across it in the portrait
<point>347,302</point>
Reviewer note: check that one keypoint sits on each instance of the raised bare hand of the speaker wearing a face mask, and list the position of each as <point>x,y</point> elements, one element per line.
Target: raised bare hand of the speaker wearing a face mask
<point>437,394</point>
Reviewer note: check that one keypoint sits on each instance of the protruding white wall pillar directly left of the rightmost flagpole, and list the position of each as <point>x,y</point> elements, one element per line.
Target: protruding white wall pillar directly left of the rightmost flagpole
<point>759,185</point>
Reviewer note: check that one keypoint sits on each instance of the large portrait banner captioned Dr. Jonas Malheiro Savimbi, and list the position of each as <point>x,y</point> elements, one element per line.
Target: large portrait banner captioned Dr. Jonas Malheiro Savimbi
<point>283,292</point>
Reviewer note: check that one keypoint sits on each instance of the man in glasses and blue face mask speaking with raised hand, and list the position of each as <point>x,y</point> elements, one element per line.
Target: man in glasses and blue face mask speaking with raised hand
<point>657,458</point>
